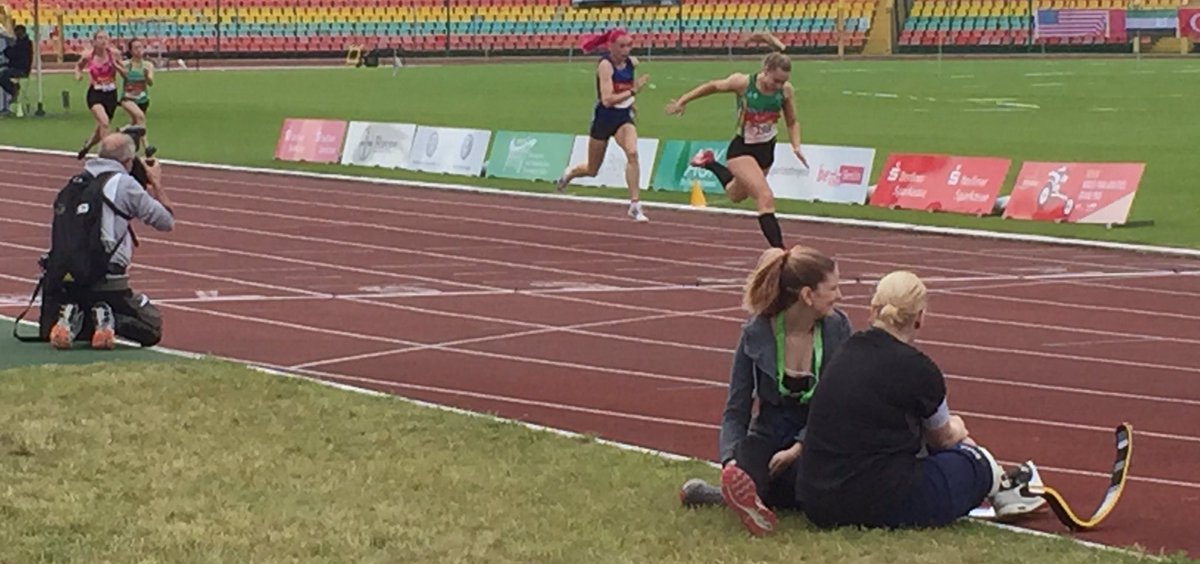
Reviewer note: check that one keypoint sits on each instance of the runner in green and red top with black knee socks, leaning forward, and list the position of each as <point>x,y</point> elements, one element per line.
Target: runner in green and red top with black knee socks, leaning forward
<point>761,98</point>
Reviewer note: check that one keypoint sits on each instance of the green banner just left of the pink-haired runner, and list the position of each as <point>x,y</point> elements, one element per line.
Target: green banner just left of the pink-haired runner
<point>530,157</point>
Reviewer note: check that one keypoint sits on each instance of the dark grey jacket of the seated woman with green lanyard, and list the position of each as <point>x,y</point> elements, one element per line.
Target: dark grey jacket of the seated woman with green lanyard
<point>754,375</point>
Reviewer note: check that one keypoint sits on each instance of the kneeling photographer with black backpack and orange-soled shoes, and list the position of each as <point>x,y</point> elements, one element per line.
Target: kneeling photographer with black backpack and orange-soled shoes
<point>87,290</point>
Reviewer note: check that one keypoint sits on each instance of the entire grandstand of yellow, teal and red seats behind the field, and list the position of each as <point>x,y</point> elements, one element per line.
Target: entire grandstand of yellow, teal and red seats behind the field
<point>259,28</point>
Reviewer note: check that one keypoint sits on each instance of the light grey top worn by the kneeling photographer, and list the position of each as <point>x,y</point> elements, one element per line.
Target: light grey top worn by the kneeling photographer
<point>134,201</point>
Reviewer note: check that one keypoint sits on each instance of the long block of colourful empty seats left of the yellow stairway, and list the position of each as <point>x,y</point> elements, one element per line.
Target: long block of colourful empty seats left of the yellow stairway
<point>436,26</point>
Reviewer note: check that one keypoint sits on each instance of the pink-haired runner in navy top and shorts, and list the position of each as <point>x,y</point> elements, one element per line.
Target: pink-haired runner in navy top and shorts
<point>614,116</point>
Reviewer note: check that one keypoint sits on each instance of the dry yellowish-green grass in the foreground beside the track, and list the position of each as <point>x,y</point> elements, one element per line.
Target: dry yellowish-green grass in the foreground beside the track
<point>205,461</point>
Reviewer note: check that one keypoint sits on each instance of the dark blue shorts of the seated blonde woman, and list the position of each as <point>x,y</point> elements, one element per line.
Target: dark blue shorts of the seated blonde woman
<point>953,483</point>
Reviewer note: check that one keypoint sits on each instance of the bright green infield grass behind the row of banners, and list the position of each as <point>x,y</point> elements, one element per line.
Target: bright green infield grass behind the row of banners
<point>1102,110</point>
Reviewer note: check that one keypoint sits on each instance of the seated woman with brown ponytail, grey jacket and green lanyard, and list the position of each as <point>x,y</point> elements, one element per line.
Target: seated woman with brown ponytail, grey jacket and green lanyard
<point>793,335</point>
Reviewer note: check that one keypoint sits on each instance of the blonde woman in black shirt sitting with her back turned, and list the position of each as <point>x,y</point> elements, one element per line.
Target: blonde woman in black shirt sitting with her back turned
<point>883,449</point>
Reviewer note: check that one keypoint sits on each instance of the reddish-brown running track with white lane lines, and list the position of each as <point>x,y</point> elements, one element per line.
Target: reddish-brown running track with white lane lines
<point>568,315</point>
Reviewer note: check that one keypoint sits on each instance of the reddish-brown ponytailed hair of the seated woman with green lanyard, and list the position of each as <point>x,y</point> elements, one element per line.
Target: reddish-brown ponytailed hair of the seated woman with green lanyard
<point>777,283</point>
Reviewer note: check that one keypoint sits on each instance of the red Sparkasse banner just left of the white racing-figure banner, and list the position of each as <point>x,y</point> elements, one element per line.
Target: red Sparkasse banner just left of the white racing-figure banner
<point>941,183</point>
